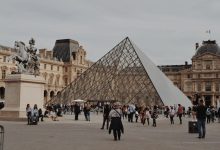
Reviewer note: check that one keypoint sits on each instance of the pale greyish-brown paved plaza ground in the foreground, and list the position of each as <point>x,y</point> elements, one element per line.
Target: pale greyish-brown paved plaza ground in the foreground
<point>68,134</point>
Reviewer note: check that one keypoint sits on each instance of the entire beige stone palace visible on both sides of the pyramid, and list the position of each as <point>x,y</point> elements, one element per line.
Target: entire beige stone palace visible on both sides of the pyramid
<point>67,60</point>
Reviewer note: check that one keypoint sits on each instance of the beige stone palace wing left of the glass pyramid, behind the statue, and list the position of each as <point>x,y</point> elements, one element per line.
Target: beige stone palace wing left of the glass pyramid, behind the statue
<point>58,67</point>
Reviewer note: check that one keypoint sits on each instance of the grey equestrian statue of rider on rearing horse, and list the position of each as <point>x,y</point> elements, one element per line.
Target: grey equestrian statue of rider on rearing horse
<point>26,58</point>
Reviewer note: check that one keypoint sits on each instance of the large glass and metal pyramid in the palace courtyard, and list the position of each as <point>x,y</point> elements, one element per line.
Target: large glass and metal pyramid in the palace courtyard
<point>124,74</point>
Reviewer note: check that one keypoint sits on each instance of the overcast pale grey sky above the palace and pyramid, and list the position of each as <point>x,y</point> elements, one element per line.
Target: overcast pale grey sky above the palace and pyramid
<point>166,30</point>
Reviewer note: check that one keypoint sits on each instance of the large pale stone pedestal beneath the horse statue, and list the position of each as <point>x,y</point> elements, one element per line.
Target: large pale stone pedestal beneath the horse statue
<point>20,90</point>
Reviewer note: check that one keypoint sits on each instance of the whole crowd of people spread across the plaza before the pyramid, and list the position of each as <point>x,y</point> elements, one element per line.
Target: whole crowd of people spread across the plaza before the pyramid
<point>114,113</point>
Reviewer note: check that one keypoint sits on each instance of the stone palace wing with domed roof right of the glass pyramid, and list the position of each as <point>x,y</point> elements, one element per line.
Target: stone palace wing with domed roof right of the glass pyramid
<point>201,80</point>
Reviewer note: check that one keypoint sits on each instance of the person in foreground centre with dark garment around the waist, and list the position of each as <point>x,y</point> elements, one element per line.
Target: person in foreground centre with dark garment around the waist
<point>116,123</point>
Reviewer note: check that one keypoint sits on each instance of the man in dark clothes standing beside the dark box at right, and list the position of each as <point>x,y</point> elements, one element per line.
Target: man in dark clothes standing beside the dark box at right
<point>201,117</point>
